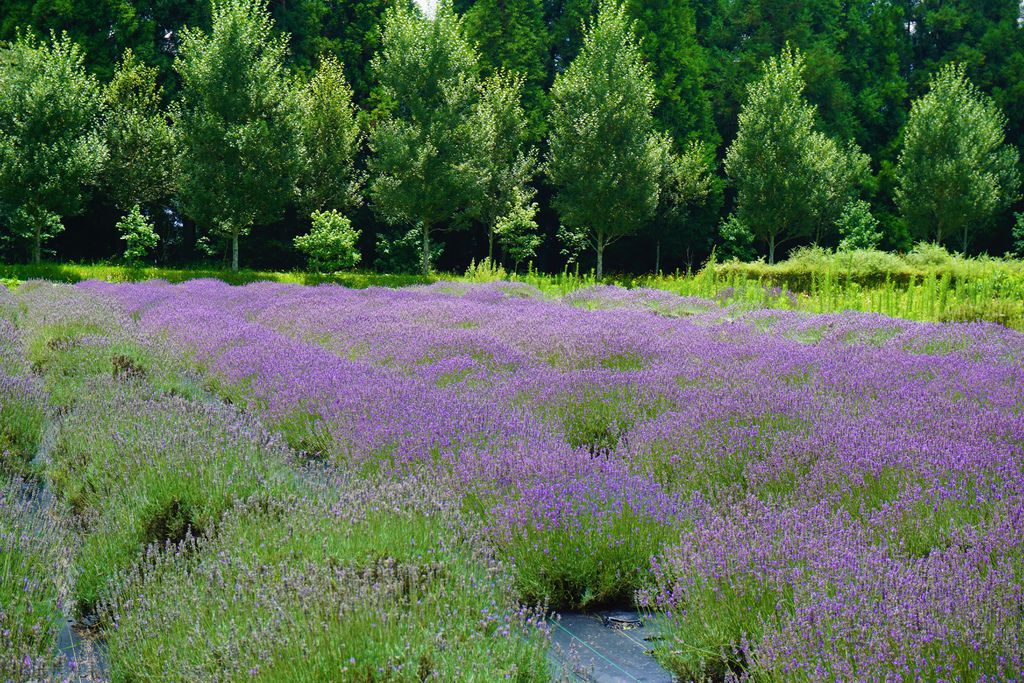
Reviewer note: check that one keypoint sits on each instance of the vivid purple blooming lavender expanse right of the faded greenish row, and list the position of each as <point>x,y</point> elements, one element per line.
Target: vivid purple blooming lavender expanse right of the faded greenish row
<point>803,496</point>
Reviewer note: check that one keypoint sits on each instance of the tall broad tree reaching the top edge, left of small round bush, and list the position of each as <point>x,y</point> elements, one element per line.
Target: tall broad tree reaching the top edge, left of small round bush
<point>237,123</point>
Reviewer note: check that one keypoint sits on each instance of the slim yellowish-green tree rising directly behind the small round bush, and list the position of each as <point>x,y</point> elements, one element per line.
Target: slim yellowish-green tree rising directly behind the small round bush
<point>331,140</point>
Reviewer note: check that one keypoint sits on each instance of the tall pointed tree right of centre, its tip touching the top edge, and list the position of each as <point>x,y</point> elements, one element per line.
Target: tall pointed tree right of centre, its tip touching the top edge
<point>606,159</point>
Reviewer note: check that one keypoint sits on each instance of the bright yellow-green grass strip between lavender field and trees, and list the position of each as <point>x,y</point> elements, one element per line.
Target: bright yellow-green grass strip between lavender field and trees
<point>928,284</point>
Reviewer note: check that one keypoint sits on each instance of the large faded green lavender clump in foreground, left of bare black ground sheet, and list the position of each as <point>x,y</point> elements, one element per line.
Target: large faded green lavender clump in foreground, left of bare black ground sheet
<point>326,587</point>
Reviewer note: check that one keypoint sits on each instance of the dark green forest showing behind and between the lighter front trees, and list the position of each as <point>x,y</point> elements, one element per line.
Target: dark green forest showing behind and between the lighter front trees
<point>867,60</point>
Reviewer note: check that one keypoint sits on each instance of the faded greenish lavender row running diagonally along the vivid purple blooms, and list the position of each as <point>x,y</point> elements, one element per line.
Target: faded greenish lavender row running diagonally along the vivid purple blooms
<point>207,554</point>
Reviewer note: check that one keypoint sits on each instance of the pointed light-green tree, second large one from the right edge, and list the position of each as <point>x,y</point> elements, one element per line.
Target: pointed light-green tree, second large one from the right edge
<point>792,181</point>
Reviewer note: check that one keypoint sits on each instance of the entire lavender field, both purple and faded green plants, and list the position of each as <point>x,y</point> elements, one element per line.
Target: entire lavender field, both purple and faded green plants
<point>278,483</point>
